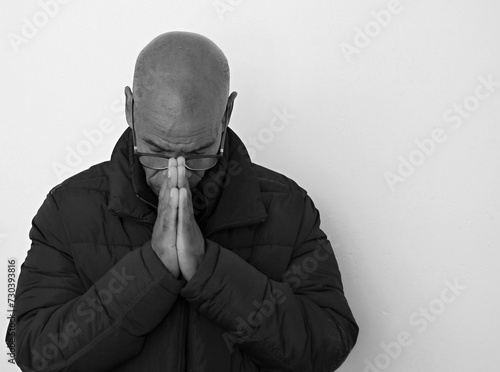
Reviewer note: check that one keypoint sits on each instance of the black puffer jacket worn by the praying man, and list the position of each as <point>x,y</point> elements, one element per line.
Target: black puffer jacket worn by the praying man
<point>93,296</point>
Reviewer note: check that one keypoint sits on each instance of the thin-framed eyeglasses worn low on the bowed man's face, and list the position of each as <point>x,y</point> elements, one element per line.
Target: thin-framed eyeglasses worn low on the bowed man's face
<point>193,162</point>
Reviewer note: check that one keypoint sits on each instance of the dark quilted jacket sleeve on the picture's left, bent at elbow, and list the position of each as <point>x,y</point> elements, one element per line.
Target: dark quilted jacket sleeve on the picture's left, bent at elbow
<point>62,326</point>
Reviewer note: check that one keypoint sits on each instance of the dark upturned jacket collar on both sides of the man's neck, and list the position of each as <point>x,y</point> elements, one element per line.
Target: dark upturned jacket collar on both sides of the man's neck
<point>239,202</point>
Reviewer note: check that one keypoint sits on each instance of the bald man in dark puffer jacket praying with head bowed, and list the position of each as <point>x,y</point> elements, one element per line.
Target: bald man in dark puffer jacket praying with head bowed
<point>180,254</point>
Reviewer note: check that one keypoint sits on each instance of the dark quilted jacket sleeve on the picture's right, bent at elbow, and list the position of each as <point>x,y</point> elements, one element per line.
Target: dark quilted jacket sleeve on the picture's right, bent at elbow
<point>303,323</point>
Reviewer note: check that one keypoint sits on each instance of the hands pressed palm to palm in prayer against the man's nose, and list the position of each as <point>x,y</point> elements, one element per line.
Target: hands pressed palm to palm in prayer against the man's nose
<point>177,239</point>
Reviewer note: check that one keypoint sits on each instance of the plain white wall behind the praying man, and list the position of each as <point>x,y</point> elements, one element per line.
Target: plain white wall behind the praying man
<point>354,118</point>
